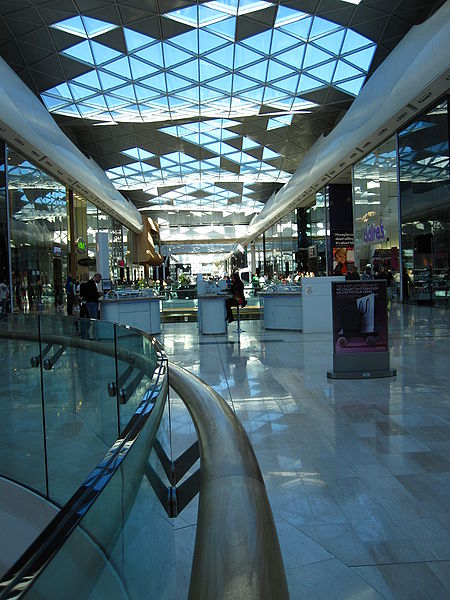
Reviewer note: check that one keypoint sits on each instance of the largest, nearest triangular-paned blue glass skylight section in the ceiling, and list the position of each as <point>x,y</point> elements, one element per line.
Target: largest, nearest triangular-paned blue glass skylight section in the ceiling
<point>205,71</point>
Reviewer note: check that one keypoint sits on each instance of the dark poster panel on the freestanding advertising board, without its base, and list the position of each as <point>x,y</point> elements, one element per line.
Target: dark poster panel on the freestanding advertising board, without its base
<point>359,317</point>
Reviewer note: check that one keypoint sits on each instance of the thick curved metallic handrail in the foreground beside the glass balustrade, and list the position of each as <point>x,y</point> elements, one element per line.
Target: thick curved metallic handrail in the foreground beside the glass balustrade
<point>237,553</point>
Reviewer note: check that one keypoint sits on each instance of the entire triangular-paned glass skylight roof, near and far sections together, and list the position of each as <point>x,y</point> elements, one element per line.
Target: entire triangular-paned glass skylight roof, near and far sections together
<point>208,75</point>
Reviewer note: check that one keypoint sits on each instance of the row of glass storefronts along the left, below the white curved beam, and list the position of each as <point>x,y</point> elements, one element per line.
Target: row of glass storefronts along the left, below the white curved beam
<point>48,232</point>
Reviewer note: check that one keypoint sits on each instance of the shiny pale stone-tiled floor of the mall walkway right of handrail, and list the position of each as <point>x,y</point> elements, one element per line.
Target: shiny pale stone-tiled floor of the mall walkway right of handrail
<point>357,471</point>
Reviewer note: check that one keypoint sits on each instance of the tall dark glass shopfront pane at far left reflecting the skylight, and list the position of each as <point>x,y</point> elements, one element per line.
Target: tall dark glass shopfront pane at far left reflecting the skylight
<point>38,235</point>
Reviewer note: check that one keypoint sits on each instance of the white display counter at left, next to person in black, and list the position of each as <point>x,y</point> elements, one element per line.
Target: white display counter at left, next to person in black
<point>141,312</point>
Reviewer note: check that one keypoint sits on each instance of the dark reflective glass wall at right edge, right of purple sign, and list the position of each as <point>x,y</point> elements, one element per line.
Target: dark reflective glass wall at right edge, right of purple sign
<point>424,200</point>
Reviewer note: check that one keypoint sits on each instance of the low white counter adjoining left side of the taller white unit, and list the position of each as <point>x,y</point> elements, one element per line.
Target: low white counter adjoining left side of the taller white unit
<point>282,310</point>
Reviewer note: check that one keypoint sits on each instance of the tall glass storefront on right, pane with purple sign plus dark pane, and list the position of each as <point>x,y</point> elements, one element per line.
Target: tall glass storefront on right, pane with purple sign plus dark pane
<point>402,208</point>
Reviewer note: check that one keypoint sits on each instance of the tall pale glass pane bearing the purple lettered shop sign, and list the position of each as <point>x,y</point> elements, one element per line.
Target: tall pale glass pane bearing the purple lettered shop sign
<point>375,196</point>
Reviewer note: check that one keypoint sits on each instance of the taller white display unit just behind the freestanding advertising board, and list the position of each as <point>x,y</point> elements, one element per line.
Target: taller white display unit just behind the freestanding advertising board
<point>316,293</point>
